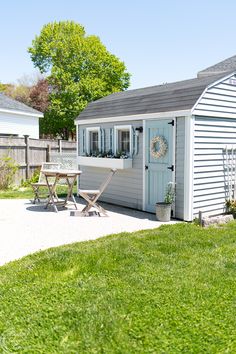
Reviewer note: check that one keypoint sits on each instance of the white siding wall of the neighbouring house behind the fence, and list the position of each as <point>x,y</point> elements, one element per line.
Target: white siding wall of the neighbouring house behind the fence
<point>19,125</point>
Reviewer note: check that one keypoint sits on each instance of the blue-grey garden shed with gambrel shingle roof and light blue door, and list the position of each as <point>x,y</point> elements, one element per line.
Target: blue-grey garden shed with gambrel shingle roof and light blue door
<point>172,132</point>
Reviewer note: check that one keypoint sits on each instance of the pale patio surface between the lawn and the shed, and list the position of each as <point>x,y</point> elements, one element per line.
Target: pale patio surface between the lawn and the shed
<point>26,228</point>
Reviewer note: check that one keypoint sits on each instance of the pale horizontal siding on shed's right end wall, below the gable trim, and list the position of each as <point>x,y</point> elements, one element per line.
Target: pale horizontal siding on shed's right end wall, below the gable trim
<point>211,135</point>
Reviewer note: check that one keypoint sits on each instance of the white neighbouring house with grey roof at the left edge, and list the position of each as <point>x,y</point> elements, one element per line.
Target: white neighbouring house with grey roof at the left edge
<point>17,119</point>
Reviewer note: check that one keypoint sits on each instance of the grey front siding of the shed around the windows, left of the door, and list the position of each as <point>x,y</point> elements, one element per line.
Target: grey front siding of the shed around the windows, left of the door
<point>126,186</point>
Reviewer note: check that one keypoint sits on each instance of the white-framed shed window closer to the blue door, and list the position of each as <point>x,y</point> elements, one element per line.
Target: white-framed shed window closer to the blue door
<point>123,140</point>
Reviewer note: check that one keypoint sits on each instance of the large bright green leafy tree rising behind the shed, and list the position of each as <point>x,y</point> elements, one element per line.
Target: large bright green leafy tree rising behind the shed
<point>80,70</point>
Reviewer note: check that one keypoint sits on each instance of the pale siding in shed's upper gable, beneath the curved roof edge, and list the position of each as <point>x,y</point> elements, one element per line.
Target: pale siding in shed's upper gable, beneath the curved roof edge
<point>219,100</point>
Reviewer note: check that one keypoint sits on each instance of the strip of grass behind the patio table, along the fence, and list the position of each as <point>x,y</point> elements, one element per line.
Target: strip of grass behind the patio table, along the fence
<point>27,192</point>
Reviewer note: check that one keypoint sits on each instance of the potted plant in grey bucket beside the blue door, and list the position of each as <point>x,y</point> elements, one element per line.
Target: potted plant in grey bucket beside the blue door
<point>163,209</point>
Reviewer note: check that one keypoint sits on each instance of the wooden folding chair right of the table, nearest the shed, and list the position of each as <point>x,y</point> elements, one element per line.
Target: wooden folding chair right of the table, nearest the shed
<point>91,196</point>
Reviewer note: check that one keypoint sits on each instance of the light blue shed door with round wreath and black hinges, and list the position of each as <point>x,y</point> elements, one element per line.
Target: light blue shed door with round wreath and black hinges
<point>159,168</point>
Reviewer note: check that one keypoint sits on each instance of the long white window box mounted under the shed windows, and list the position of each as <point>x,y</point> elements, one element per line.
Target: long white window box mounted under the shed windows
<point>105,162</point>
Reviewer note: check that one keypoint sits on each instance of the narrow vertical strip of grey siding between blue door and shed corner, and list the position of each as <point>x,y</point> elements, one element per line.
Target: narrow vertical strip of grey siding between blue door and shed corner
<point>179,175</point>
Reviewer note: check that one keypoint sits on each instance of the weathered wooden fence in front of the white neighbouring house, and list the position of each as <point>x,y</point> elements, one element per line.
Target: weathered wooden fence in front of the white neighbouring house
<point>30,153</point>
